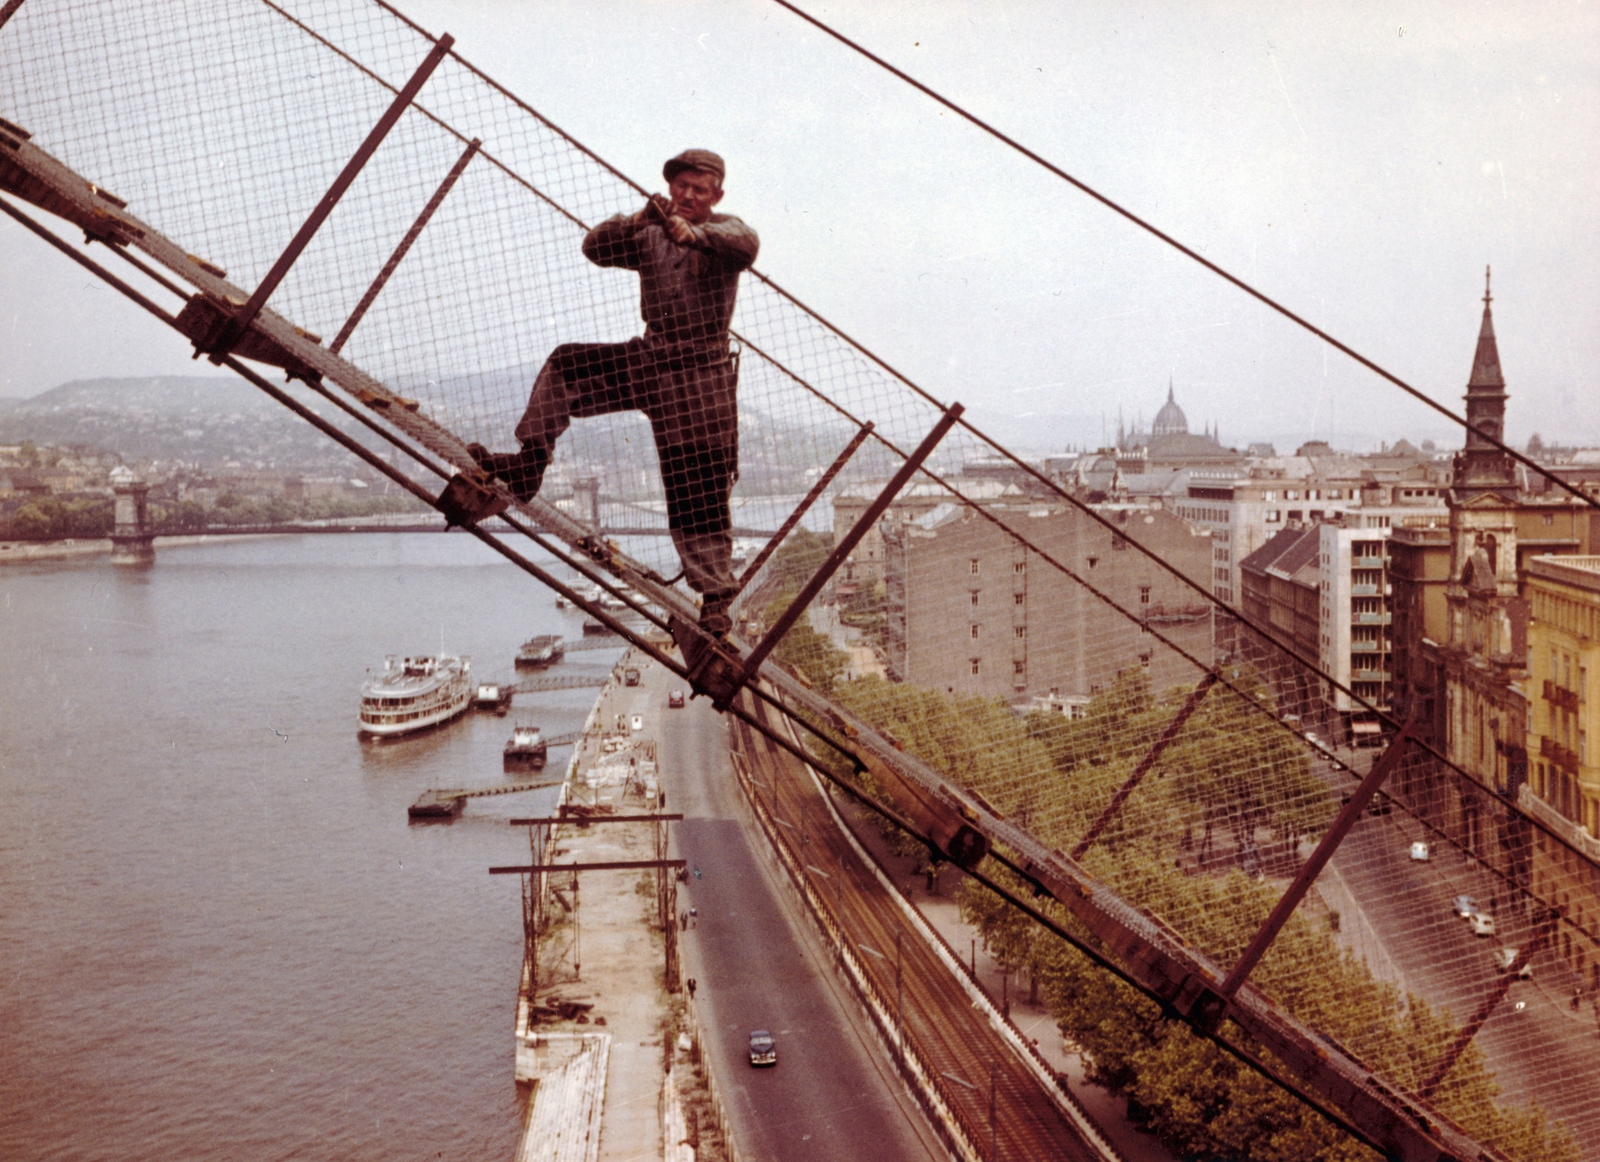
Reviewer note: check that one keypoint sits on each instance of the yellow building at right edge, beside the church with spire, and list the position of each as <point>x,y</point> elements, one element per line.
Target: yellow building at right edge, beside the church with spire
<point>1564,716</point>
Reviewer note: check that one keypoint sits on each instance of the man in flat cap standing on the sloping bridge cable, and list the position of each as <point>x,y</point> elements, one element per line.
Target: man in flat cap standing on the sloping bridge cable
<point>679,372</point>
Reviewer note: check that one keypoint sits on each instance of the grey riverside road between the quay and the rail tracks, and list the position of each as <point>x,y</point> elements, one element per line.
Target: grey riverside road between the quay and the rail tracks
<point>834,1096</point>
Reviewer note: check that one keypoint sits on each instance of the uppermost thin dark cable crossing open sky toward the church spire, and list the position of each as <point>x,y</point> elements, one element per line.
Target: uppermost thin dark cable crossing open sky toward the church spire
<point>1262,297</point>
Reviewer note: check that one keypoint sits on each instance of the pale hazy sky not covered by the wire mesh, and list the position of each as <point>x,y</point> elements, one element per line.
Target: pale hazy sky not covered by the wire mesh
<point>1361,162</point>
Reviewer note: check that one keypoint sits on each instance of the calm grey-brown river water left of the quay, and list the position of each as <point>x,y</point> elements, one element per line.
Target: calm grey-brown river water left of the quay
<point>218,936</point>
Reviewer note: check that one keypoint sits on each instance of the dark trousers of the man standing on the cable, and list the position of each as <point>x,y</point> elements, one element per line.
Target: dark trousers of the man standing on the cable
<point>694,415</point>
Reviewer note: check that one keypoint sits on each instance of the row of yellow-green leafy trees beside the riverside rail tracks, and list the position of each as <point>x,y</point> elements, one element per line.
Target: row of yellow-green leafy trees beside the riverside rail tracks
<point>1233,769</point>
